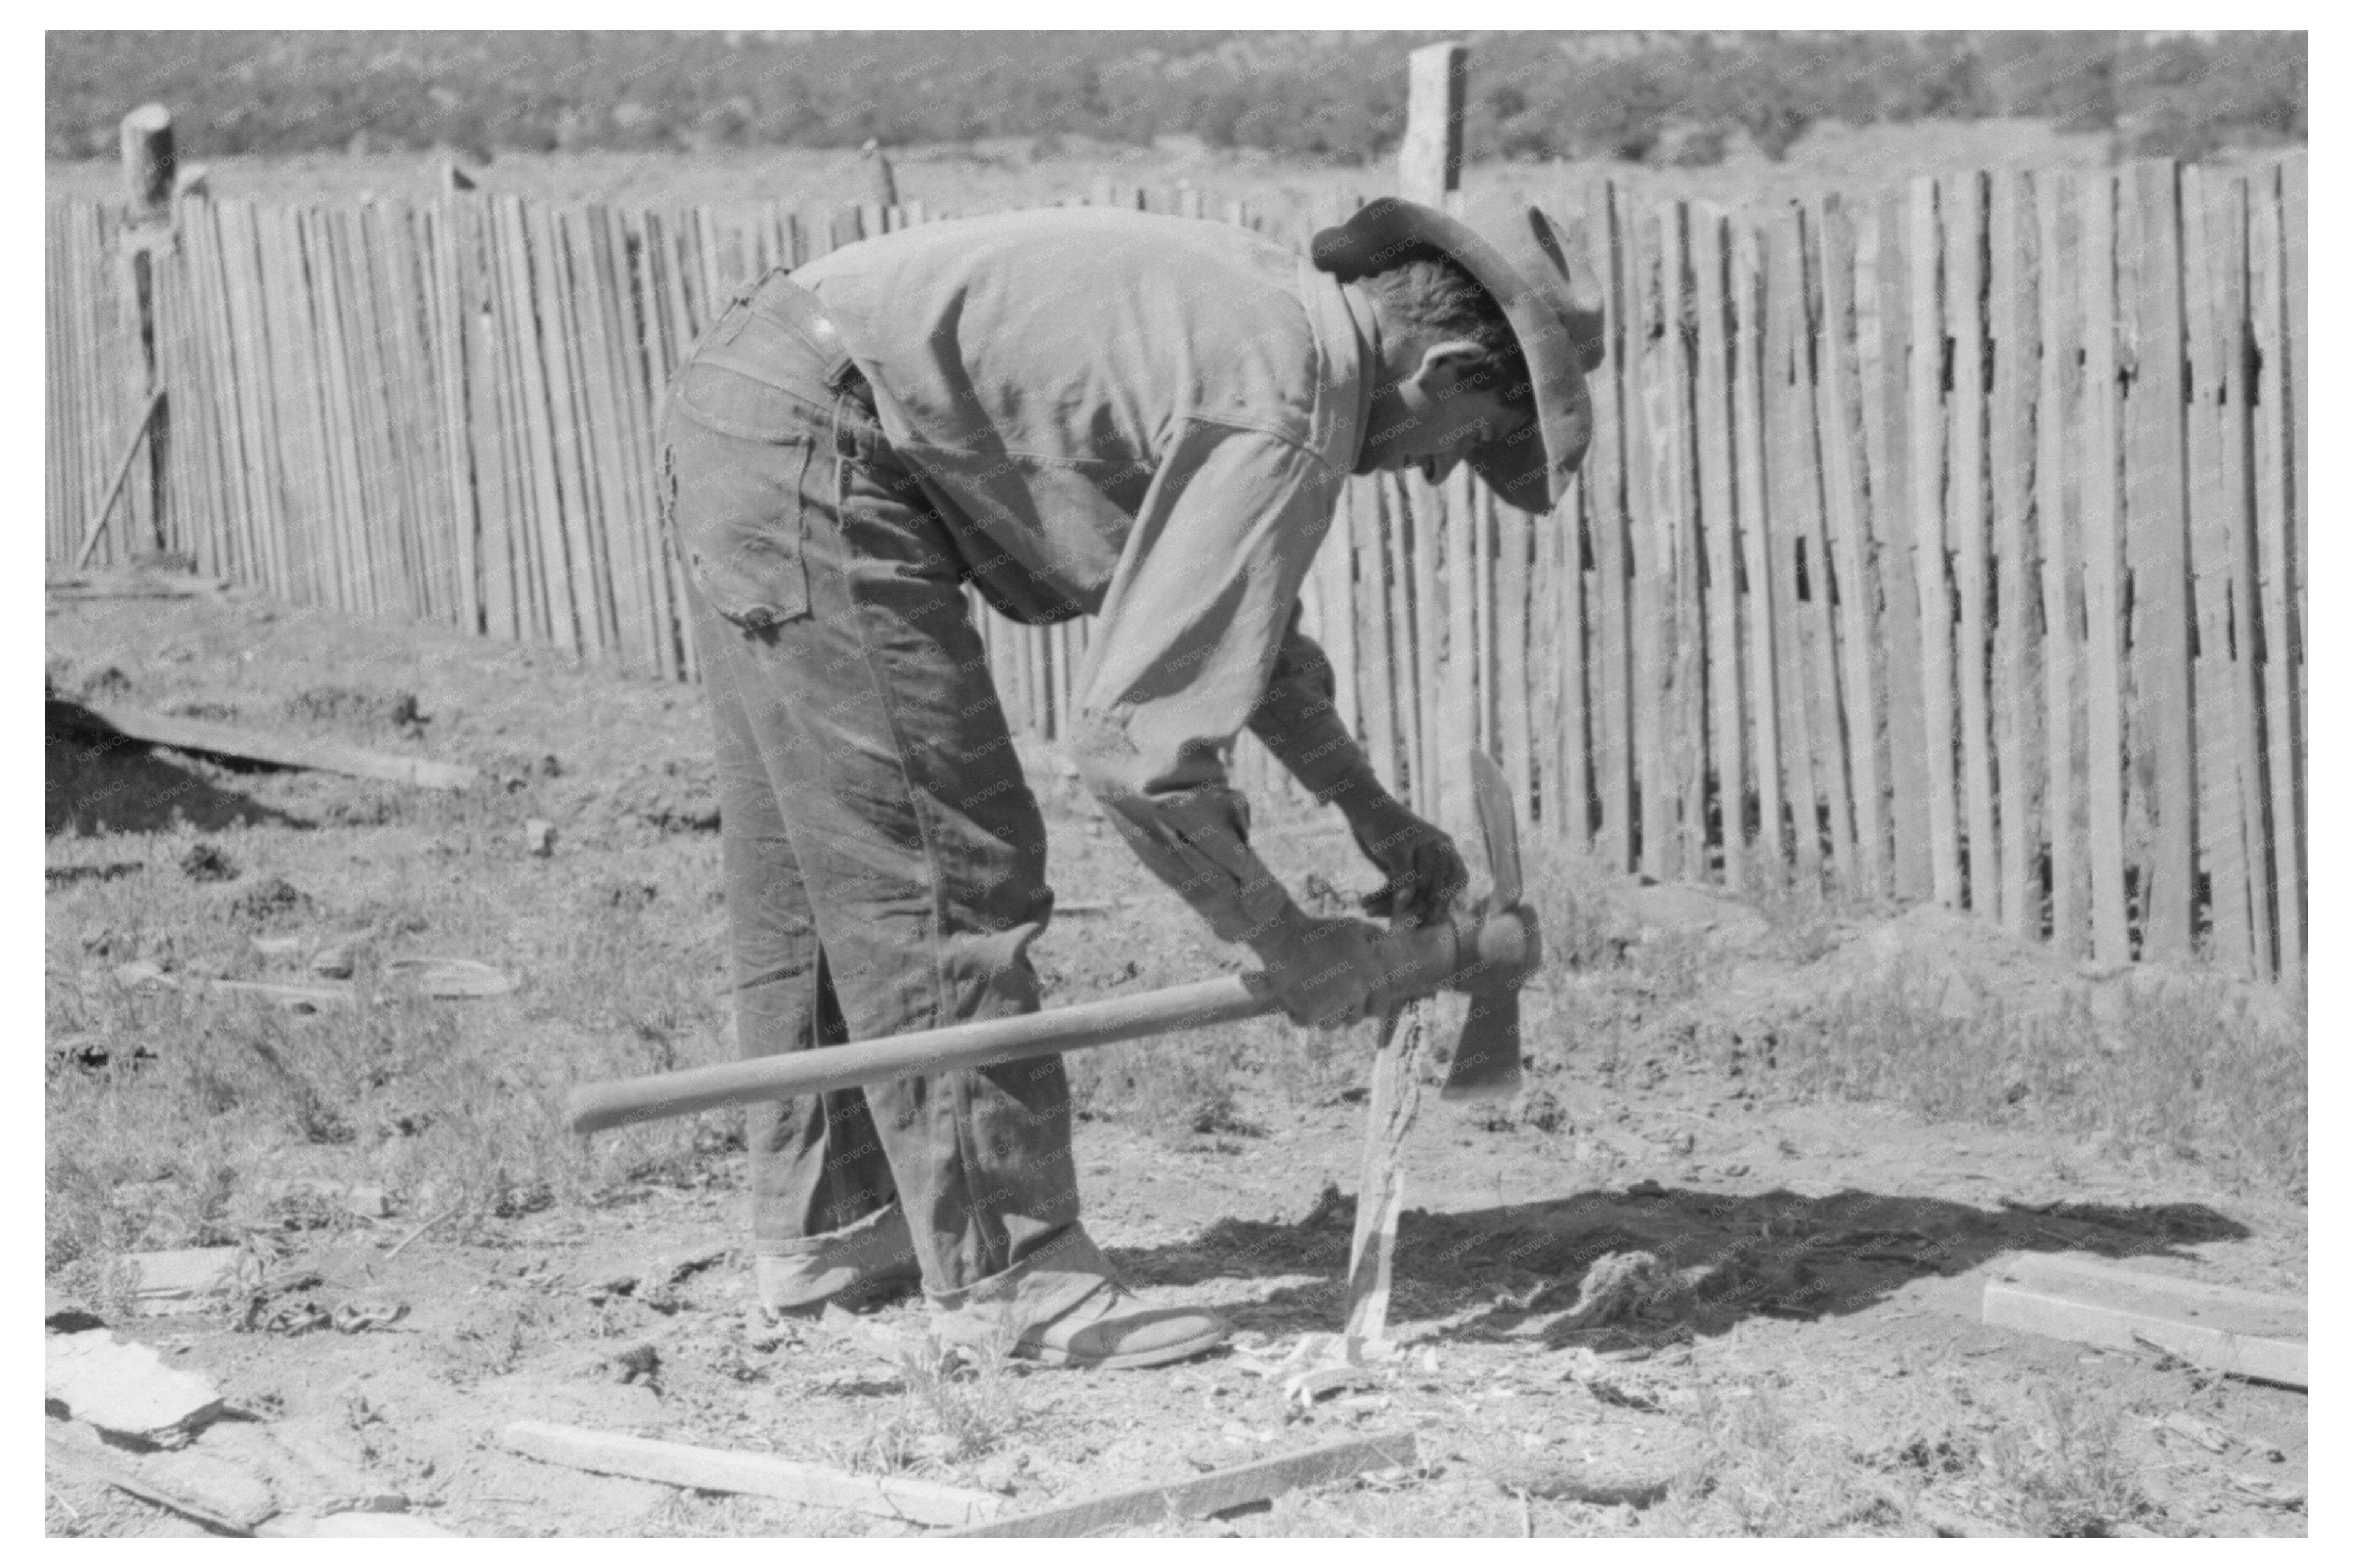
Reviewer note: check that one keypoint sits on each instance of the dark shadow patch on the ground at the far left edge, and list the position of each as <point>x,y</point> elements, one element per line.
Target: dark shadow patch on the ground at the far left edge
<point>105,783</point>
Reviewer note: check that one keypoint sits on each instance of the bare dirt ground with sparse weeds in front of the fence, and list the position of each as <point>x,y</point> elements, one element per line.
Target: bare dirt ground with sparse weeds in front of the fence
<point>1820,1371</point>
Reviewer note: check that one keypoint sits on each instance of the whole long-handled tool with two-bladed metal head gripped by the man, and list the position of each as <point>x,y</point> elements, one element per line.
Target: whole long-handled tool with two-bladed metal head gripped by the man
<point>1488,950</point>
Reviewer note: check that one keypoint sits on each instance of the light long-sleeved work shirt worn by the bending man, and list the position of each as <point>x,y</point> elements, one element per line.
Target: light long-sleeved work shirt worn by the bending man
<point>1147,420</point>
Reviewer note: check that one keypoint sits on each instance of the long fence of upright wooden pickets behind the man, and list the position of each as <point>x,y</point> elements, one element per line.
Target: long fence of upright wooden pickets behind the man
<point>1940,547</point>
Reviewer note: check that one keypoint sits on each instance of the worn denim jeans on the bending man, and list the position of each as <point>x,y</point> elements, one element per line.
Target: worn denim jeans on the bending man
<point>884,853</point>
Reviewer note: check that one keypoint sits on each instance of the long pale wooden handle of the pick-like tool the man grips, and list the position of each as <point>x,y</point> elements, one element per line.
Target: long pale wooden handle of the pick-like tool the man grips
<point>1420,962</point>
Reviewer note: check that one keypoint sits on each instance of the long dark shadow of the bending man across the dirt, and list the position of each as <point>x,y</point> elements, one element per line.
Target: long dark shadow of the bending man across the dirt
<point>1519,1273</point>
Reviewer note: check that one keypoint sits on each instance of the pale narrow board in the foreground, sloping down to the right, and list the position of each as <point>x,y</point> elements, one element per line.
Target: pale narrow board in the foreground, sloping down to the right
<point>721,1470</point>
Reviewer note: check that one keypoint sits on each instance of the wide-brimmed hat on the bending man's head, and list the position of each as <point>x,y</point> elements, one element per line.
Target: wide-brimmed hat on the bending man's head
<point>1559,331</point>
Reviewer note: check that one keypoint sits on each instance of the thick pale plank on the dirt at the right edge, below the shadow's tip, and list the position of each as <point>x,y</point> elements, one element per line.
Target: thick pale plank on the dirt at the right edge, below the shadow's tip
<point>2095,1303</point>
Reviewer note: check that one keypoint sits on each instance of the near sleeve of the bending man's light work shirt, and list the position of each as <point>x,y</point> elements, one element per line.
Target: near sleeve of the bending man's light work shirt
<point>1197,625</point>
